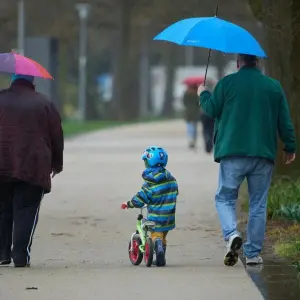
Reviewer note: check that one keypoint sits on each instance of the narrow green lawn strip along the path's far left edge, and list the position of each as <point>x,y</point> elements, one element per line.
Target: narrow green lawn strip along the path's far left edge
<point>73,127</point>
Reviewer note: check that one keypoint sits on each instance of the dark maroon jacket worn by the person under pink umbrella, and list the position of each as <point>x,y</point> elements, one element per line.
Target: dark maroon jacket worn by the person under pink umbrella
<point>31,136</point>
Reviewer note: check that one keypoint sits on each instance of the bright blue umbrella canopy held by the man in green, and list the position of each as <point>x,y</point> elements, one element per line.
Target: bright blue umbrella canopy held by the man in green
<point>212,33</point>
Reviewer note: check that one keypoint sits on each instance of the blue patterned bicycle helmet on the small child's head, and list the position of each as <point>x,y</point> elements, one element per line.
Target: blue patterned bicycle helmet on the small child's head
<point>155,156</point>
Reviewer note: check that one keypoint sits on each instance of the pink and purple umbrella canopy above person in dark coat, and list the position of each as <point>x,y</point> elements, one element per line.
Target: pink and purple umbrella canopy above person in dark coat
<point>13,63</point>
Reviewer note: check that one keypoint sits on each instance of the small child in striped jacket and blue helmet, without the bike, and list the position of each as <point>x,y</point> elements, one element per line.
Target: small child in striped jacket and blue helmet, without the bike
<point>159,192</point>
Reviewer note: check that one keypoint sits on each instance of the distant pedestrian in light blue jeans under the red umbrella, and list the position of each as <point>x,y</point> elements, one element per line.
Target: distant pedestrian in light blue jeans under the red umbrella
<point>191,114</point>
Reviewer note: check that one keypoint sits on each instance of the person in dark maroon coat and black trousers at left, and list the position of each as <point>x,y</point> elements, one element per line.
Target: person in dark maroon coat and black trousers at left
<point>31,148</point>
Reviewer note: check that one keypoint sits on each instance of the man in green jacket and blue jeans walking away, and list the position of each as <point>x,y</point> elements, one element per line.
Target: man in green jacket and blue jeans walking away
<point>250,110</point>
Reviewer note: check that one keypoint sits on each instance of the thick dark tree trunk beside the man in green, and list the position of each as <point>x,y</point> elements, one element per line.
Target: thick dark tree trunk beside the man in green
<point>280,18</point>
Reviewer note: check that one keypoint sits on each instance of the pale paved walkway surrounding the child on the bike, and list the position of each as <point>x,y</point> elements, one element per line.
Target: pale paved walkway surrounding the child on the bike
<point>80,247</point>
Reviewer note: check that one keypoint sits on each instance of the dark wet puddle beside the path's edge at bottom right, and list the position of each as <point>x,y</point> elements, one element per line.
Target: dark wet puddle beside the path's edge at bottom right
<point>276,280</point>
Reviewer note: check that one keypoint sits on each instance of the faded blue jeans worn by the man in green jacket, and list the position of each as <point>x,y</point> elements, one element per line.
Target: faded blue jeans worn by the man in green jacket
<point>232,173</point>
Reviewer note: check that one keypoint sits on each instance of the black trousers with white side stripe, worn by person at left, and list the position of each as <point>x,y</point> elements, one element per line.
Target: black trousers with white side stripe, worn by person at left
<point>19,212</point>
